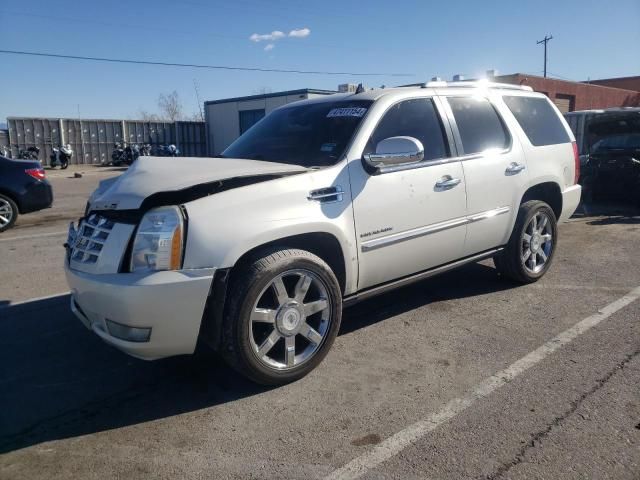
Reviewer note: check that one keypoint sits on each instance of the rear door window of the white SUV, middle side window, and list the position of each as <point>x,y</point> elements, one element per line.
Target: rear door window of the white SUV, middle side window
<point>479,125</point>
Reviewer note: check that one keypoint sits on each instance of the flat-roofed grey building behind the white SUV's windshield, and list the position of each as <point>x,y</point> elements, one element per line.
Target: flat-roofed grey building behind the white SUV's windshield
<point>229,118</point>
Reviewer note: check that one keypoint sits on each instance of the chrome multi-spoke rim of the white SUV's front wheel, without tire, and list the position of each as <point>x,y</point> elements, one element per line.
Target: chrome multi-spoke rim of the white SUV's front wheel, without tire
<point>290,319</point>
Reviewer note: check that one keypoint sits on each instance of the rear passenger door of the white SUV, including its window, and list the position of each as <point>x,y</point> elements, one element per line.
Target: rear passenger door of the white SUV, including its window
<point>494,169</point>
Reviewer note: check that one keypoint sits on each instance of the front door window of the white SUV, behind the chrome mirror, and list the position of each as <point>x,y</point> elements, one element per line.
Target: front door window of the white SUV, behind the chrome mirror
<point>416,118</point>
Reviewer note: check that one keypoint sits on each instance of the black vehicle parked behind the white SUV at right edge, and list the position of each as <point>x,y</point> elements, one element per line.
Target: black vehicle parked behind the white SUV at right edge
<point>609,142</point>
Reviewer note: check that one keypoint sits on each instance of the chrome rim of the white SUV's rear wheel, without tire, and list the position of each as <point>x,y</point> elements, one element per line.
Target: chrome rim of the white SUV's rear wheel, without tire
<point>537,242</point>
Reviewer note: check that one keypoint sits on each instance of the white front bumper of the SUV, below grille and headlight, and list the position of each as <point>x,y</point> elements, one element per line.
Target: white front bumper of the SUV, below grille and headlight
<point>171,304</point>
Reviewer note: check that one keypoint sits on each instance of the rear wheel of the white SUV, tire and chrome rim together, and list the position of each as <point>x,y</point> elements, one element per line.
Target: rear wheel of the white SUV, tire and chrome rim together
<point>532,245</point>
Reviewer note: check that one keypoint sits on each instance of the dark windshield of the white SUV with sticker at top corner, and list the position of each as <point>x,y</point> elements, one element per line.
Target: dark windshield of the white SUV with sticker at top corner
<point>311,135</point>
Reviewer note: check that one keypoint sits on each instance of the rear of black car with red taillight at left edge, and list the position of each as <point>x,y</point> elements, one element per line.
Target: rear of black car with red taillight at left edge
<point>23,189</point>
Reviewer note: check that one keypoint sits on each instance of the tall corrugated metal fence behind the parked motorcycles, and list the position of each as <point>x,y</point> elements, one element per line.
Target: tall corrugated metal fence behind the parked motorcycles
<point>92,141</point>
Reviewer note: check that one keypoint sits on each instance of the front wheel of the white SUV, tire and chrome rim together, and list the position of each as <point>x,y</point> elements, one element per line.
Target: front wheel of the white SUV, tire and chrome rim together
<point>282,316</point>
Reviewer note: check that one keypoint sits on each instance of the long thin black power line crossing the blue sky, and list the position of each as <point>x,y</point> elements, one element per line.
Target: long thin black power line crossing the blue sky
<point>195,65</point>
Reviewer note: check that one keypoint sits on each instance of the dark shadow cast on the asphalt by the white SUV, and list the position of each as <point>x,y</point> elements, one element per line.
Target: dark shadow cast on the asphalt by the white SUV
<point>57,380</point>
